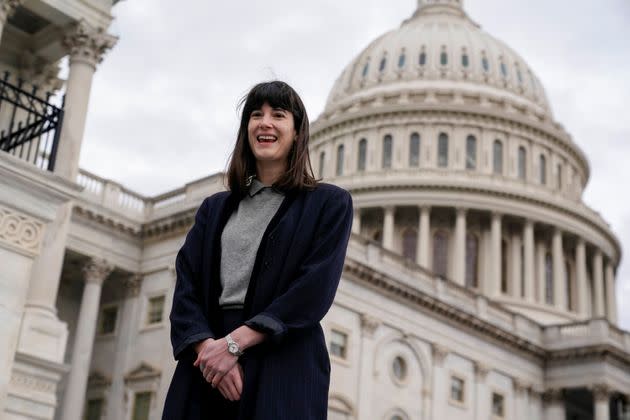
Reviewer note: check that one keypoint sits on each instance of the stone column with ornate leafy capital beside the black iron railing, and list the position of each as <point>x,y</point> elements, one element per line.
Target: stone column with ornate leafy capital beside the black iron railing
<point>87,47</point>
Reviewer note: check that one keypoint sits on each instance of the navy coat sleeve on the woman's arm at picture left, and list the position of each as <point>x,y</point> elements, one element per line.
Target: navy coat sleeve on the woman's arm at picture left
<point>189,323</point>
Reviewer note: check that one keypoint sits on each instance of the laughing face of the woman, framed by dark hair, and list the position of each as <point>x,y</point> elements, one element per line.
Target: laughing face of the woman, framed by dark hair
<point>271,133</point>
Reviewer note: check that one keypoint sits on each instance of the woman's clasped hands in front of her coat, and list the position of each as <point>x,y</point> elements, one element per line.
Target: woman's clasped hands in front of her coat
<point>220,368</point>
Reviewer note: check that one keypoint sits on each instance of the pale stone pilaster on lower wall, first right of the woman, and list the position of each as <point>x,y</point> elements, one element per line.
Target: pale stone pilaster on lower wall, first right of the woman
<point>369,325</point>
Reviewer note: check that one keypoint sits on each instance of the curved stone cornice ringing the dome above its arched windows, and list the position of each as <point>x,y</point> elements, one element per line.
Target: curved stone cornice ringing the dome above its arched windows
<point>460,114</point>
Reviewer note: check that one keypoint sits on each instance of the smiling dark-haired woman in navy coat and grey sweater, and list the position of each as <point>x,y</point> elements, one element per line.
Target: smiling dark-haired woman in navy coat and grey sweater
<point>258,271</point>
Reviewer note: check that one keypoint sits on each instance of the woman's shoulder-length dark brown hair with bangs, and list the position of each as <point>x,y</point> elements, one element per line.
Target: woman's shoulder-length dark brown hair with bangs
<point>299,173</point>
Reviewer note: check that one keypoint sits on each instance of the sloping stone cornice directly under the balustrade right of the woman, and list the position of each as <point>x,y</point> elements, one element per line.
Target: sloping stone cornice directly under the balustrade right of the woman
<point>441,310</point>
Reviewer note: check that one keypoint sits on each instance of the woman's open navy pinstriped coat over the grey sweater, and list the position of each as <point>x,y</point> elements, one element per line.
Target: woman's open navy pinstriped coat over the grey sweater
<point>293,284</point>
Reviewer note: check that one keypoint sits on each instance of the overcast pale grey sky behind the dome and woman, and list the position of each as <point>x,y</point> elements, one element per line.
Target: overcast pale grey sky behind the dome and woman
<point>163,104</point>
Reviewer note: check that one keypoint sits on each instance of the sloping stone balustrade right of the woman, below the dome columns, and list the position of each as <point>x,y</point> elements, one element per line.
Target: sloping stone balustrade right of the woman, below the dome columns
<point>409,274</point>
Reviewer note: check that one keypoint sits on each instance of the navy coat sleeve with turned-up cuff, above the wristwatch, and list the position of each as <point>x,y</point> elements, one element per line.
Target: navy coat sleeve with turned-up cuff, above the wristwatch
<point>312,291</point>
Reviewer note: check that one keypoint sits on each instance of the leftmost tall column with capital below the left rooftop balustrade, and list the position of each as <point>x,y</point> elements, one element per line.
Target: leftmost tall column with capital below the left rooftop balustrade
<point>95,271</point>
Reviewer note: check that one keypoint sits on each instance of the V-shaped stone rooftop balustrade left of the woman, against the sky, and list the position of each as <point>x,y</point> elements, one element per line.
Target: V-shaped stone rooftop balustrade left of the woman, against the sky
<point>115,197</point>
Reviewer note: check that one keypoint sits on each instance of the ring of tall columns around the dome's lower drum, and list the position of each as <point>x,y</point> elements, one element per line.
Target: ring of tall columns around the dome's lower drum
<point>523,262</point>
